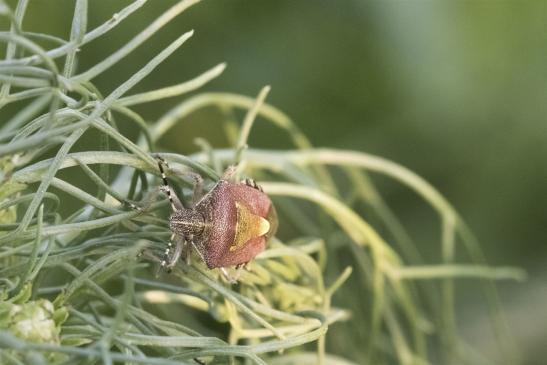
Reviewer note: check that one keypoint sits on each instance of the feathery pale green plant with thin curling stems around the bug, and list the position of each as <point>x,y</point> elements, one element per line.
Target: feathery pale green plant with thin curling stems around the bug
<point>87,265</point>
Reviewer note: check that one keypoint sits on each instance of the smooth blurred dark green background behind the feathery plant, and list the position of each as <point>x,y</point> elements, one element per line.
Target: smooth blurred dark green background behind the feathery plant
<point>455,91</point>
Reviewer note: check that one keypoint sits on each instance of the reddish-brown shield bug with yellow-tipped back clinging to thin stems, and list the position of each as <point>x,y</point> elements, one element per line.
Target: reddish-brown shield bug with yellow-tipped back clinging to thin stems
<point>228,226</point>
